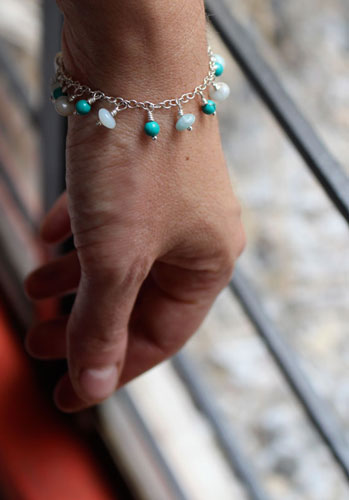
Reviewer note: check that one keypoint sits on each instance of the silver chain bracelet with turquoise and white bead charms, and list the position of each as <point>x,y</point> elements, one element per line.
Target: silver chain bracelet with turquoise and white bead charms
<point>73,98</point>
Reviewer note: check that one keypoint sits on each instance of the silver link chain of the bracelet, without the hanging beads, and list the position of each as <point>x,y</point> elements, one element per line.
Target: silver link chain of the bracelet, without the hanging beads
<point>77,89</point>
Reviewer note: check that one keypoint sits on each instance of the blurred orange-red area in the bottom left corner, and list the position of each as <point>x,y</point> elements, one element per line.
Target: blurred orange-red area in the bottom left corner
<point>40,456</point>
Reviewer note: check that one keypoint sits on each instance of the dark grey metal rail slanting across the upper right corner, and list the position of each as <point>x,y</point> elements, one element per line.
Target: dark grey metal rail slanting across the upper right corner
<point>322,164</point>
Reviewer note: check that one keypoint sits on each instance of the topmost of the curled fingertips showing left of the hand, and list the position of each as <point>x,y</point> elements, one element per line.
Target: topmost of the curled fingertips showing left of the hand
<point>56,225</point>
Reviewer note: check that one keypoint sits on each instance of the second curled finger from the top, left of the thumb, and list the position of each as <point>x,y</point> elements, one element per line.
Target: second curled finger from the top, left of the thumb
<point>58,277</point>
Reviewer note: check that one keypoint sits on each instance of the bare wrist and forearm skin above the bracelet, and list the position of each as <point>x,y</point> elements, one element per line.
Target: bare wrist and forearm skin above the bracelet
<point>139,51</point>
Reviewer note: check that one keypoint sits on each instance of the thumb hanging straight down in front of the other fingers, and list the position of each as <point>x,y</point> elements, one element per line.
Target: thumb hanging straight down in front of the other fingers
<point>97,327</point>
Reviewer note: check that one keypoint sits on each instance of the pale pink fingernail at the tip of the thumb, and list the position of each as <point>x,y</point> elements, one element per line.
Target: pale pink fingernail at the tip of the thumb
<point>98,383</point>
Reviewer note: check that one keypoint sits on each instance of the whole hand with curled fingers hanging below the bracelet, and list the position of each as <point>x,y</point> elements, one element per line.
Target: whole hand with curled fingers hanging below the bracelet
<point>157,231</point>
